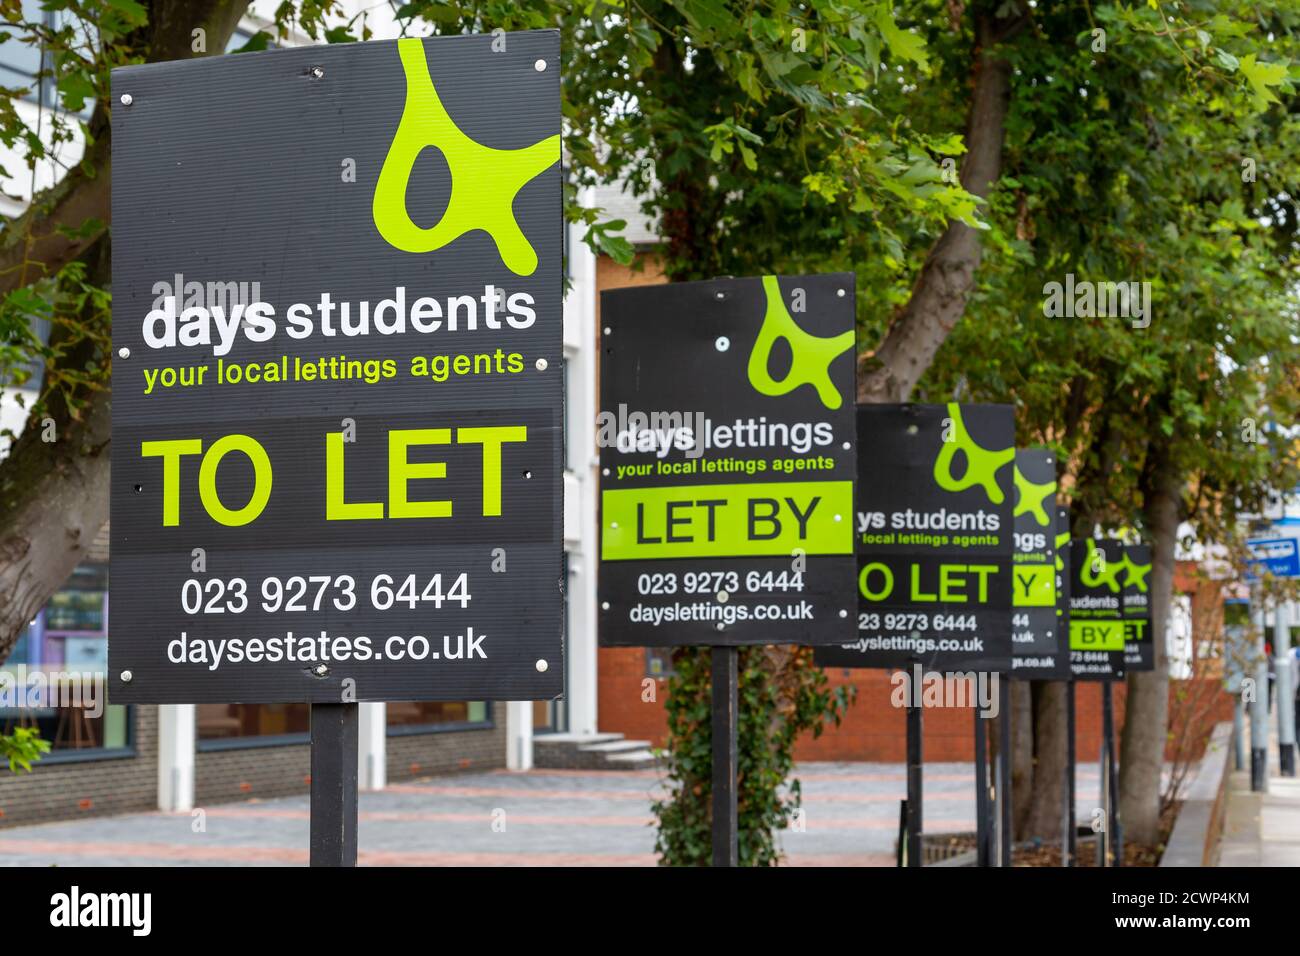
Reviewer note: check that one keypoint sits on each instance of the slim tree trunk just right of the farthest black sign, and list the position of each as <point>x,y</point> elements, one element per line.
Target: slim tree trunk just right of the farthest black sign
<point>1142,750</point>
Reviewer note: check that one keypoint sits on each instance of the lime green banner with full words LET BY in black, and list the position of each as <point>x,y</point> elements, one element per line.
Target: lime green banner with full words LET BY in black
<point>729,521</point>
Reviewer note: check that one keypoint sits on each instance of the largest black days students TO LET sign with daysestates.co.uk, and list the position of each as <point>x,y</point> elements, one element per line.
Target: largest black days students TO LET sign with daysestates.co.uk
<point>337,379</point>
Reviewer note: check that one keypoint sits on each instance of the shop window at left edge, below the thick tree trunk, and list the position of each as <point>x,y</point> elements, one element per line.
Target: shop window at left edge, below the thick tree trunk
<point>54,680</point>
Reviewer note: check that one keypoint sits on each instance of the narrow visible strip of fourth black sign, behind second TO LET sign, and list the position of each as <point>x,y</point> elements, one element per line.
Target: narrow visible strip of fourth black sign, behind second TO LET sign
<point>1041,648</point>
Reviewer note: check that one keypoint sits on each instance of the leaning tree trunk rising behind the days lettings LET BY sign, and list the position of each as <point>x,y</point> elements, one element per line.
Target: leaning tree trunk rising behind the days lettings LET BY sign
<point>948,275</point>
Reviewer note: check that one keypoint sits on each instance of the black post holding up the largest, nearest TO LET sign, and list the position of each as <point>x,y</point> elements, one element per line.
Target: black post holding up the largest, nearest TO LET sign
<point>333,808</point>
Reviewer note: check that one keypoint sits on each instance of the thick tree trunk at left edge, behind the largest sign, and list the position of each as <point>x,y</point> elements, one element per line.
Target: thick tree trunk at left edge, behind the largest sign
<point>54,485</point>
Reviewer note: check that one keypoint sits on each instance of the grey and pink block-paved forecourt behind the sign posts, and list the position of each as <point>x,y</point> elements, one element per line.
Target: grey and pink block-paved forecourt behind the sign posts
<point>544,819</point>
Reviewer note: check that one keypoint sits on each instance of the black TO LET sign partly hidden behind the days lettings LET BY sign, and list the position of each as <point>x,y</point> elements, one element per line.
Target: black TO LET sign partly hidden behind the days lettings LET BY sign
<point>934,538</point>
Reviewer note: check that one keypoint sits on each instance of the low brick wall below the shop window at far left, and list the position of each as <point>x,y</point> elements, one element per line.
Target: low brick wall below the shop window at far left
<point>94,788</point>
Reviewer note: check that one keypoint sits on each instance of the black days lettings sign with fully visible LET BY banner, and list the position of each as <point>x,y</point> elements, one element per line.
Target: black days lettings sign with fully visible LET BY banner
<point>727,462</point>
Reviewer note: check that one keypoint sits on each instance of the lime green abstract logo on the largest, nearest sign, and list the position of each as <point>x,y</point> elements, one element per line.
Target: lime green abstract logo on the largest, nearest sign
<point>484,181</point>
